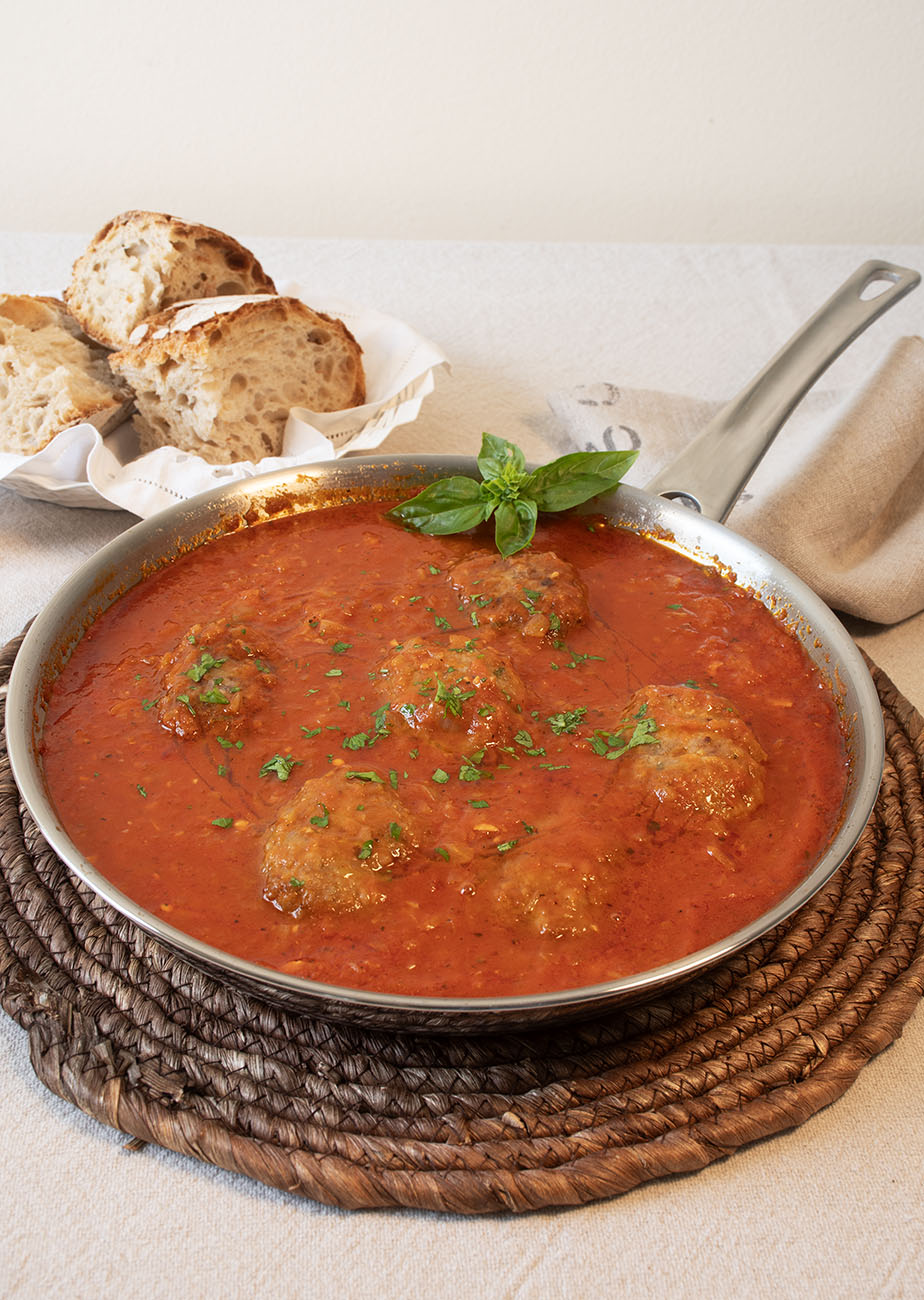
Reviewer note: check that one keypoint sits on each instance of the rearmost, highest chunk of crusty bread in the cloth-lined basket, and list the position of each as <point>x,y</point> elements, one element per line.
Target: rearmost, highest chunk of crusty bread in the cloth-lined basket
<point>144,262</point>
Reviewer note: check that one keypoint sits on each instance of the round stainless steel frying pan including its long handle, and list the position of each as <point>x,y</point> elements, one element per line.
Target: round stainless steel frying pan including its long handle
<point>682,508</point>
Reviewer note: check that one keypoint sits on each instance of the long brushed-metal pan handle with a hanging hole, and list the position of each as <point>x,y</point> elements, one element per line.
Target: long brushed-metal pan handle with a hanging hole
<point>713,470</point>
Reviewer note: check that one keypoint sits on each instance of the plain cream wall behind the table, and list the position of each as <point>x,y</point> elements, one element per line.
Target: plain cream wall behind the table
<point>654,120</point>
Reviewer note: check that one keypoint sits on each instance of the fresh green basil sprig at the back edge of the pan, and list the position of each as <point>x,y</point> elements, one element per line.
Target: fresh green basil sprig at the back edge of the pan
<point>511,493</point>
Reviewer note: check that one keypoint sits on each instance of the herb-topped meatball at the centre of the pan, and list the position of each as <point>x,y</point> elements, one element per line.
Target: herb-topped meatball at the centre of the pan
<point>459,692</point>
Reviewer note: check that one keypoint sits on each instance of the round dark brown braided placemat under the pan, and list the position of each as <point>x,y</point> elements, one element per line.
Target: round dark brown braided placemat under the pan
<point>142,1041</point>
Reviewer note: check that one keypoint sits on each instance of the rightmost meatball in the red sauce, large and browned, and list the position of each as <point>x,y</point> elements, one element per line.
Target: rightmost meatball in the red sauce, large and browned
<point>695,755</point>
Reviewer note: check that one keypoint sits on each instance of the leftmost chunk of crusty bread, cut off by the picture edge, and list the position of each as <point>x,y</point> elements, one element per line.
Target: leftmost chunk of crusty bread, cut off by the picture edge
<point>51,376</point>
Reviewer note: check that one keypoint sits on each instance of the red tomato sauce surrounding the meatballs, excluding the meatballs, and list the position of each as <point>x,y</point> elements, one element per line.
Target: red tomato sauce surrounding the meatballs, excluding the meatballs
<point>180,825</point>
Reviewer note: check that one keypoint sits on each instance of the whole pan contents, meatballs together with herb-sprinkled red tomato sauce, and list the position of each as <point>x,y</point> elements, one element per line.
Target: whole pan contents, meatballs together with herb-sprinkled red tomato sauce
<point>507,855</point>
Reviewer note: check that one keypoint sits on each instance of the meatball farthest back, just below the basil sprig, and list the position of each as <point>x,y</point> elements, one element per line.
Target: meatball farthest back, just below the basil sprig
<point>533,591</point>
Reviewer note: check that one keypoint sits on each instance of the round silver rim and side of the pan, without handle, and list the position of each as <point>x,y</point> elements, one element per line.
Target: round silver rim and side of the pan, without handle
<point>31,678</point>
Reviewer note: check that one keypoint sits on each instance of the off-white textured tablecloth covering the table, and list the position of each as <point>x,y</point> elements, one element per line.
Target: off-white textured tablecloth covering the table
<point>832,1208</point>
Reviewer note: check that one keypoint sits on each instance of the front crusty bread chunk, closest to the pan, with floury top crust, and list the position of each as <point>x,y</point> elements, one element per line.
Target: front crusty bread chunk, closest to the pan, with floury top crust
<point>219,378</point>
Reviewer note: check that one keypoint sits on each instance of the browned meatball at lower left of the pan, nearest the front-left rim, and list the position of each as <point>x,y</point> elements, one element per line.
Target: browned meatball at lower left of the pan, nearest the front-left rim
<point>333,847</point>
